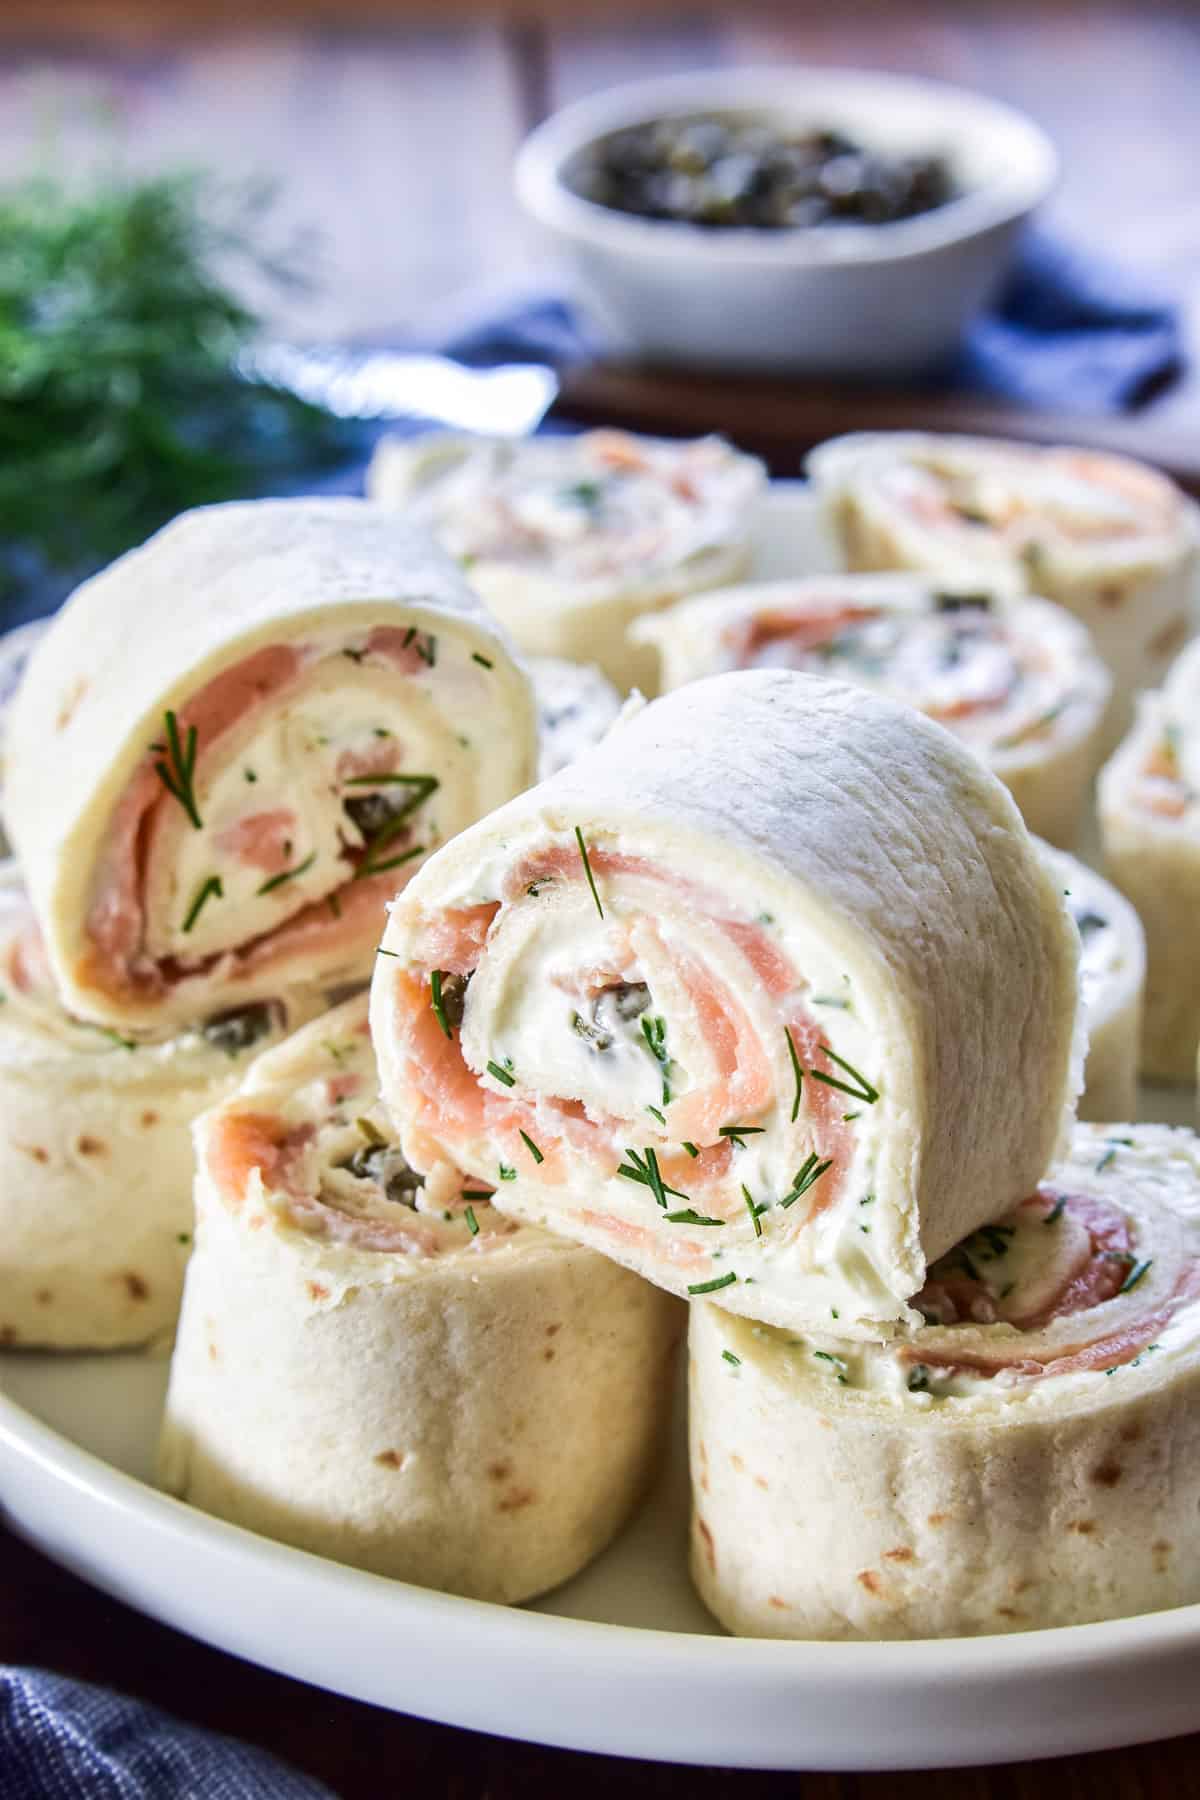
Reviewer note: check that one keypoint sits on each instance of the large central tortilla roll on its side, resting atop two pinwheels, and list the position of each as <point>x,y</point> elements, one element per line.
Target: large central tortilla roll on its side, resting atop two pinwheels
<point>821,966</point>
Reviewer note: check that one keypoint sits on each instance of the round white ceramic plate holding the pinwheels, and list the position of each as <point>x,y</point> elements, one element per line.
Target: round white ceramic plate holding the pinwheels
<point>622,1660</point>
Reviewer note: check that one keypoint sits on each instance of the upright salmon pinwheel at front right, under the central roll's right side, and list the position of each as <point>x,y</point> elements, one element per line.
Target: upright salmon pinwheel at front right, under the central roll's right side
<point>1030,1457</point>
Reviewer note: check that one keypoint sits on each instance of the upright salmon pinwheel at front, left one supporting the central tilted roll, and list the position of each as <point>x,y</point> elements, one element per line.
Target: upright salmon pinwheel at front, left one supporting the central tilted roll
<point>390,1372</point>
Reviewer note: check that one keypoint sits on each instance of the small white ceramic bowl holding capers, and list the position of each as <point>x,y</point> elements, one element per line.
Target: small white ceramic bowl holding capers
<point>864,300</point>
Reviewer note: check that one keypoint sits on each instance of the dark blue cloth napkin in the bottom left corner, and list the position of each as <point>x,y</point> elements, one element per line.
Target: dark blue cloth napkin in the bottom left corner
<point>66,1741</point>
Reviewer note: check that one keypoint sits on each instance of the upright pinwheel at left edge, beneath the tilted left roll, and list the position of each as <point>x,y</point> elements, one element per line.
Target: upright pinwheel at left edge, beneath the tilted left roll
<point>96,1158</point>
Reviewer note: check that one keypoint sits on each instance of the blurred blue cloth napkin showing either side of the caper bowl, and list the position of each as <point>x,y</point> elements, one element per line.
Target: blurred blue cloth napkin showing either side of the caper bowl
<point>1068,334</point>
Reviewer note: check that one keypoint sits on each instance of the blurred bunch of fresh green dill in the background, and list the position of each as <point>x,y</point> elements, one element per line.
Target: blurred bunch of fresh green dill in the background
<point>123,319</point>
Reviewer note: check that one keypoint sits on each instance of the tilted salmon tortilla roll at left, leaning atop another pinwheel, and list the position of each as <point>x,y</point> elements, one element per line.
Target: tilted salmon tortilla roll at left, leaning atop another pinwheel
<point>309,679</point>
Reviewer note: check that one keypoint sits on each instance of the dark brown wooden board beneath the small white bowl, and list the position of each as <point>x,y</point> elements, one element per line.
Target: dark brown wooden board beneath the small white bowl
<point>784,420</point>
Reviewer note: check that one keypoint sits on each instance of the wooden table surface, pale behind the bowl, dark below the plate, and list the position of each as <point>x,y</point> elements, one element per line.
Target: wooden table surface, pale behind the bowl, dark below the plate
<point>395,139</point>
